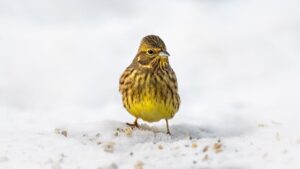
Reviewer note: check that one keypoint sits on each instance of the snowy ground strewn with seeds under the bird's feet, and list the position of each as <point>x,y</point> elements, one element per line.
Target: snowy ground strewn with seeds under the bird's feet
<point>111,144</point>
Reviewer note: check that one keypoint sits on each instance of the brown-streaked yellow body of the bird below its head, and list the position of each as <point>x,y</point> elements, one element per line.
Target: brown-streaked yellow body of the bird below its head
<point>151,97</point>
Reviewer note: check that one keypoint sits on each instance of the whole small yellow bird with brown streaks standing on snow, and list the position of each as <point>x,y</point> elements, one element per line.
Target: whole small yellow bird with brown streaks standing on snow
<point>149,85</point>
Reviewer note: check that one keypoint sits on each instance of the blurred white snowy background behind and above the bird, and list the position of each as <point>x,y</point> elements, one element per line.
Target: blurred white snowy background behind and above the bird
<point>61,60</point>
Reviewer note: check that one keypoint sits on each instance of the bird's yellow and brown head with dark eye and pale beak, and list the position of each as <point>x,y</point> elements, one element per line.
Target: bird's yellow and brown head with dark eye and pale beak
<point>152,52</point>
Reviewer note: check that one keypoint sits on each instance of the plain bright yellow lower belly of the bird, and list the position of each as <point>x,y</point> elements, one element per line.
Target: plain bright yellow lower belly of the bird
<point>150,109</point>
